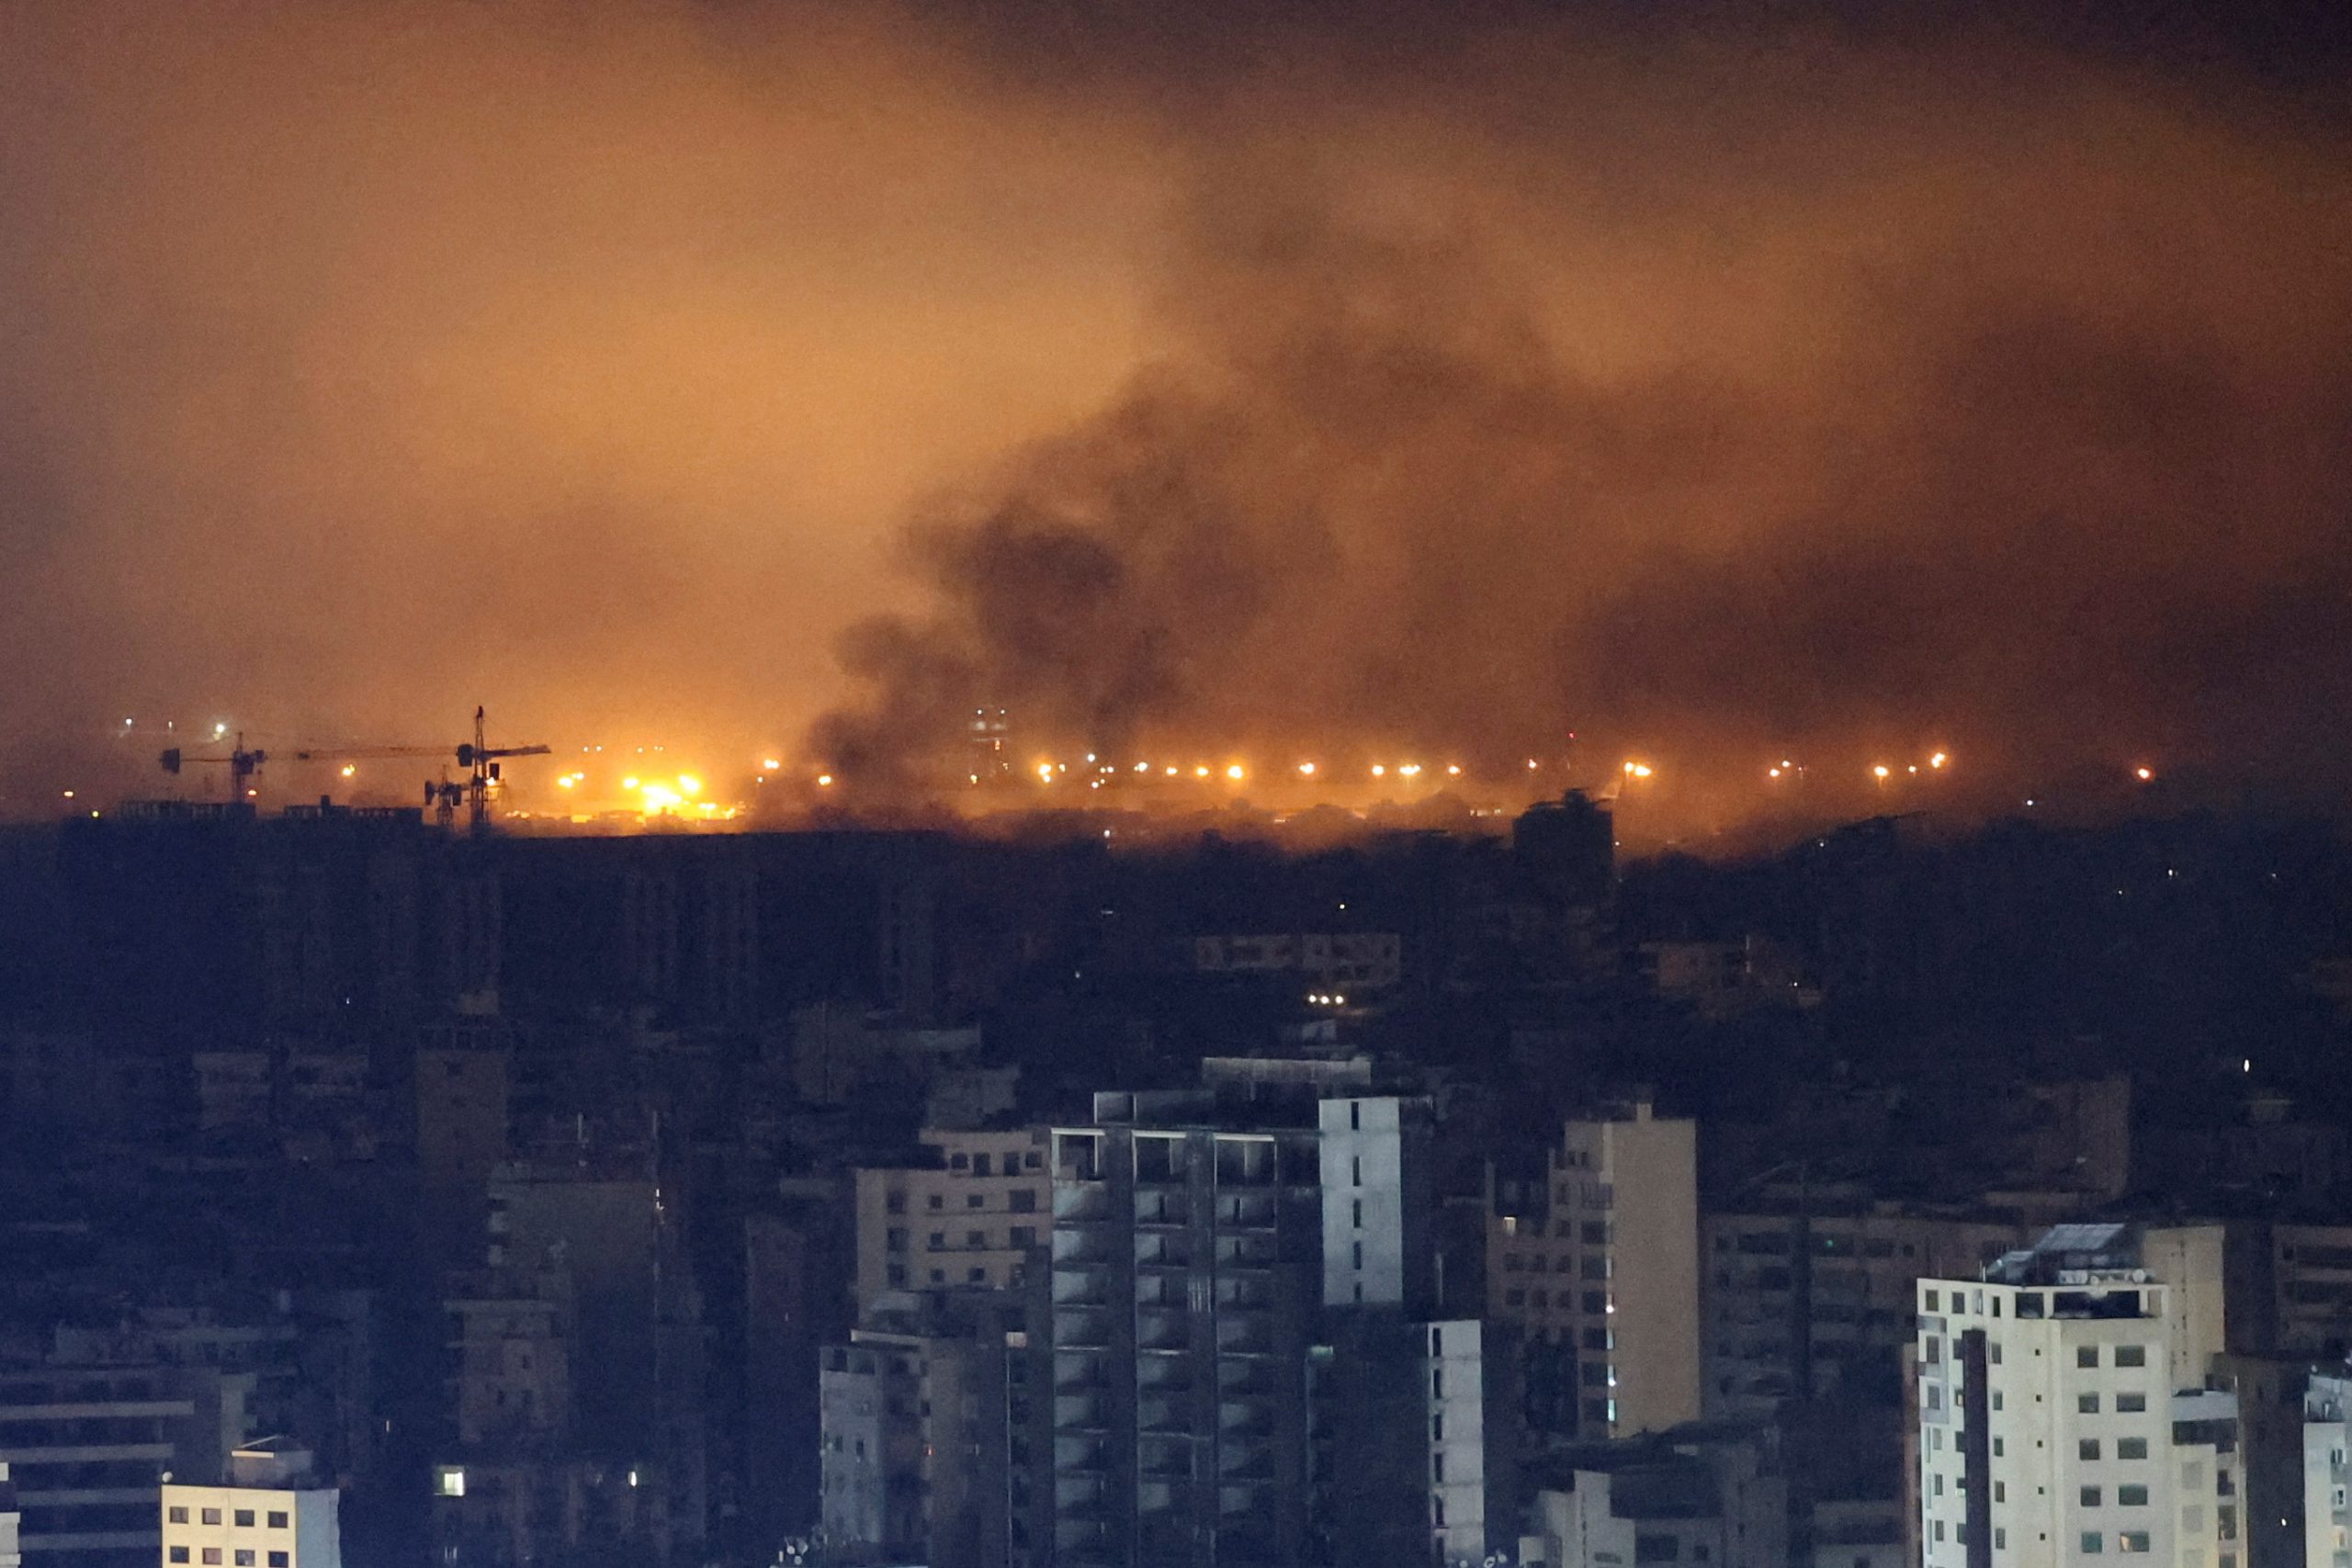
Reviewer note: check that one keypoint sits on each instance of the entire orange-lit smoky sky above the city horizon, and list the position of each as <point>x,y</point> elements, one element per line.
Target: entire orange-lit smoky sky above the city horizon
<point>1718,394</point>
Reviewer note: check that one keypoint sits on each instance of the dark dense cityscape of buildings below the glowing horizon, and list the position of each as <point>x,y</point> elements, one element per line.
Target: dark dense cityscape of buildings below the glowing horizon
<point>918,1198</point>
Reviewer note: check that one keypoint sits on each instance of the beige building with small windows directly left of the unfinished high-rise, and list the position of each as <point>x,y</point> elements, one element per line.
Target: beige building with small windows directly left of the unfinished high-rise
<point>968,1221</point>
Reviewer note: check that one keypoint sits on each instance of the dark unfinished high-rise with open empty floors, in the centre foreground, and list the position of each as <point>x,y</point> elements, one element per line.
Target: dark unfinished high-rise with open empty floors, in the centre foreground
<point>1184,1301</point>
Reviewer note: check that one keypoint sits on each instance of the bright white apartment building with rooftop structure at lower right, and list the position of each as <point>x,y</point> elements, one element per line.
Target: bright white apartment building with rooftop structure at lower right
<point>2047,1426</point>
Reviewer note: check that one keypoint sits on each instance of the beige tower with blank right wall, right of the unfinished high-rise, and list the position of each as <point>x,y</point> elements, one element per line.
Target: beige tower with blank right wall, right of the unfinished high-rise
<point>1598,1266</point>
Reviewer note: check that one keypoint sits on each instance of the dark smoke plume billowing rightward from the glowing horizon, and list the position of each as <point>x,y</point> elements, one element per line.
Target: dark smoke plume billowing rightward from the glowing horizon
<point>1822,403</point>
